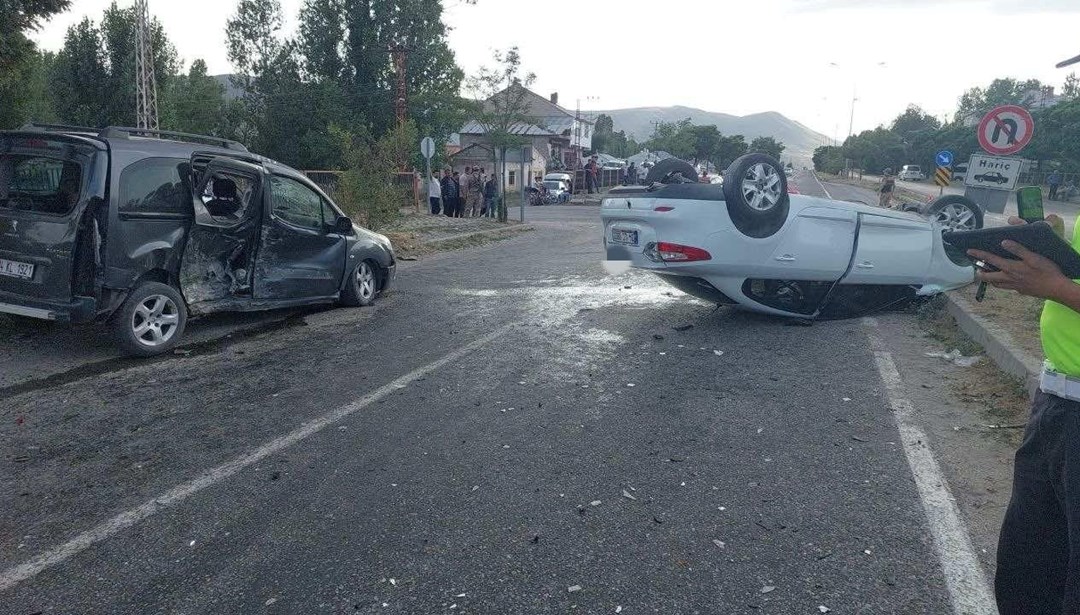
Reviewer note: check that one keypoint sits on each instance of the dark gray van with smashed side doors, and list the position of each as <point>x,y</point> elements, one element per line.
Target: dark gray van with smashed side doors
<point>140,230</point>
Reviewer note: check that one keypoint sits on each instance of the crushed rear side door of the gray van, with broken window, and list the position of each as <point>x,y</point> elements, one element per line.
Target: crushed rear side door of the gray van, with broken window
<point>217,266</point>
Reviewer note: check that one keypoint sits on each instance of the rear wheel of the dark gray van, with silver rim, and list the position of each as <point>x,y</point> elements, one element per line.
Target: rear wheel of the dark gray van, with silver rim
<point>151,322</point>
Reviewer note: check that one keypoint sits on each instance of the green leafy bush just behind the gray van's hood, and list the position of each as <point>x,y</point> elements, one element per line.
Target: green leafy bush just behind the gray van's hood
<point>368,192</point>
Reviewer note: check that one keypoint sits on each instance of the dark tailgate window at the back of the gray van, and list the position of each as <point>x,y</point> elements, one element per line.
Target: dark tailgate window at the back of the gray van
<point>42,176</point>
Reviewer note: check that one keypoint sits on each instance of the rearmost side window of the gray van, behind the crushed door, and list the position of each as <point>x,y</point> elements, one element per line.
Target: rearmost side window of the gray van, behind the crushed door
<point>156,185</point>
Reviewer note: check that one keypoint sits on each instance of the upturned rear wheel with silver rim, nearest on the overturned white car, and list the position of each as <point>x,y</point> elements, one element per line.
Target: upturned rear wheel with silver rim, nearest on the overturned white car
<point>755,190</point>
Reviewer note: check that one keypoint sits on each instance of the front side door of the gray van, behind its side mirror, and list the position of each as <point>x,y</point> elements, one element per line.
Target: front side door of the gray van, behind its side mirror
<point>301,255</point>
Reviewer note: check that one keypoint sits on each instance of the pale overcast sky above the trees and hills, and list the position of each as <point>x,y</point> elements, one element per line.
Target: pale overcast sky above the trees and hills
<point>737,58</point>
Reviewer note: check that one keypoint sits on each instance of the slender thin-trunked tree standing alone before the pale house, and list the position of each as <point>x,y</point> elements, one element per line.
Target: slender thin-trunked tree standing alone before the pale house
<point>503,110</point>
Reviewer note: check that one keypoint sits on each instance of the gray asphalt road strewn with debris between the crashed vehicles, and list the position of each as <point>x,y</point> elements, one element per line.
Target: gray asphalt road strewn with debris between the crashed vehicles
<point>511,431</point>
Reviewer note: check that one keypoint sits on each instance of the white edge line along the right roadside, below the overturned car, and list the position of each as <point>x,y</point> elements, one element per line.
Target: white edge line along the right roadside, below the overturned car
<point>968,589</point>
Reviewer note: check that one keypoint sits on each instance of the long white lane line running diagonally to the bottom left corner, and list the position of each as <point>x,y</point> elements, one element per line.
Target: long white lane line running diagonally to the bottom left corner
<point>113,527</point>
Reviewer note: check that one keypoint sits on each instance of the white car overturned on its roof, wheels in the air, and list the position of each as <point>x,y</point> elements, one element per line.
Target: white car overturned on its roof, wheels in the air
<point>752,245</point>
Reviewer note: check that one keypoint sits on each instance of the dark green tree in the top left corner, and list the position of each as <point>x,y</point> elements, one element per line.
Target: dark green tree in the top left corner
<point>20,62</point>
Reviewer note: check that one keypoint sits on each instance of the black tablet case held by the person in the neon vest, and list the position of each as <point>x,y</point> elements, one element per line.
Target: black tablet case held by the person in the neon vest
<point>1039,238</point>
